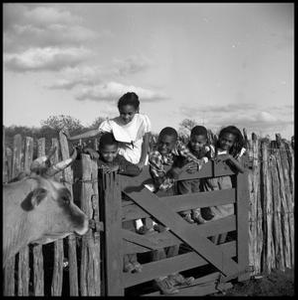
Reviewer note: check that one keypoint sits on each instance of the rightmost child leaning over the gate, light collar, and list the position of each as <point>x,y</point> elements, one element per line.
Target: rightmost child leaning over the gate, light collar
<point>229,148</point>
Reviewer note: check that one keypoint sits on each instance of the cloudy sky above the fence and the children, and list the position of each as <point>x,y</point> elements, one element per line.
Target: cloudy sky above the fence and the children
<point>217,64</point>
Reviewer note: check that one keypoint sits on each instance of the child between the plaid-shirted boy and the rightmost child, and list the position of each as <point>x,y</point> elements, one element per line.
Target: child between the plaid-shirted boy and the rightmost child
<point>200,149</point>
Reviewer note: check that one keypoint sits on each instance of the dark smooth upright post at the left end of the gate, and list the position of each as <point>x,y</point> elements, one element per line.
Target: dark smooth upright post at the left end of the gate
<point>113,236</point>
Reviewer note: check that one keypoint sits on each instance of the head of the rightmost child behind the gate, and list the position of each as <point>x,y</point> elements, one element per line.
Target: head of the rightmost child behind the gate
<point>230,138</point>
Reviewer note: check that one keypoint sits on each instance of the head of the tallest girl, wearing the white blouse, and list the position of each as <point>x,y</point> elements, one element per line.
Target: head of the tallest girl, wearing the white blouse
<point>128,106</point>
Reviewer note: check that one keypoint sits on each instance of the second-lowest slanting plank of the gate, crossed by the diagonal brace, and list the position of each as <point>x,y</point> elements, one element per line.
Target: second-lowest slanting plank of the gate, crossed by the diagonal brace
<point>174,264</point>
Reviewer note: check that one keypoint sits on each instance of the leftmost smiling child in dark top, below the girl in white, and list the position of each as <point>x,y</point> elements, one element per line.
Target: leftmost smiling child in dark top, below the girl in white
<point>111,161</point>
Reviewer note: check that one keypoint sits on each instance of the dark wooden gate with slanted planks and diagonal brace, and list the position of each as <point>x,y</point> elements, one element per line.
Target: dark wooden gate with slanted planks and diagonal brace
<point>228,260</point>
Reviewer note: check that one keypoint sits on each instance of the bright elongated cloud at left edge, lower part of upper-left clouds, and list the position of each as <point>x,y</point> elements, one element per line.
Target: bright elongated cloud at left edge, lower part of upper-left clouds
<point>50,58</point>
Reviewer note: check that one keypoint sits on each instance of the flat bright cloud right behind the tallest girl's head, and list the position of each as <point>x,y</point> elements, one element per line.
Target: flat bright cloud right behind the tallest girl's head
<point>113,90</point>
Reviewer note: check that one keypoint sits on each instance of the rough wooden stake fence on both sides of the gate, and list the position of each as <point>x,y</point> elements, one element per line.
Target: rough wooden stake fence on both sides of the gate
<point>271,221</point>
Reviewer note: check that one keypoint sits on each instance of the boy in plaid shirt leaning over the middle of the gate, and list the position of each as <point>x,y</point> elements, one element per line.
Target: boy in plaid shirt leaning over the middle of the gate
<point>164,169</point>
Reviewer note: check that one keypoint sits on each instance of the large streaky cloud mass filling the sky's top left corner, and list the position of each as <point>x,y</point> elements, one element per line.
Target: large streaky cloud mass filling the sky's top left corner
<point>43,37</point>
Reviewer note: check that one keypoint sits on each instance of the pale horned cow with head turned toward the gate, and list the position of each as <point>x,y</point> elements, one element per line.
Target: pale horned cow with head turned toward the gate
<point>38,209</point>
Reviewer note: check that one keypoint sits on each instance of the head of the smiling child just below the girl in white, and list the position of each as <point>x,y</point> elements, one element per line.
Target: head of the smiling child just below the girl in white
<point>108,147</point>
